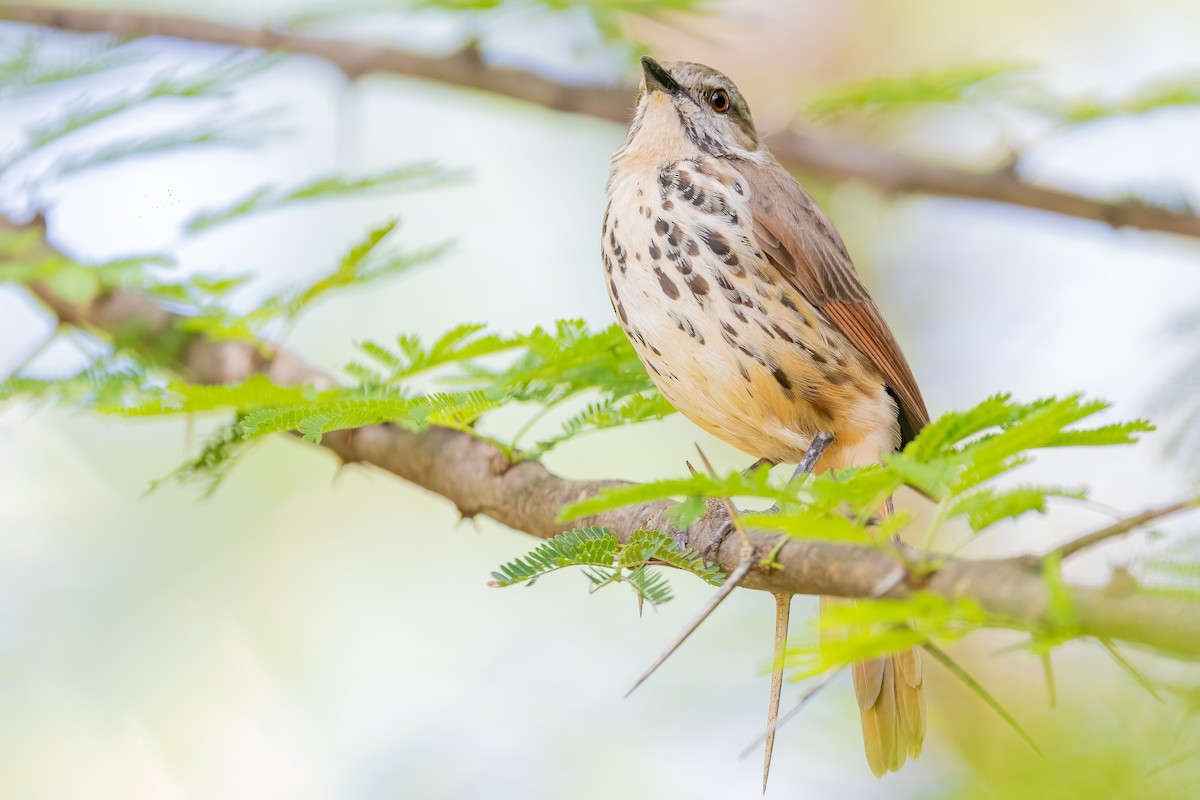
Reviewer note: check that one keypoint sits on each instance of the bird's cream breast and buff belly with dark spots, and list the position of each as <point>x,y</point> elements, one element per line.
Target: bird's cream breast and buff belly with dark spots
<point>730,344</point>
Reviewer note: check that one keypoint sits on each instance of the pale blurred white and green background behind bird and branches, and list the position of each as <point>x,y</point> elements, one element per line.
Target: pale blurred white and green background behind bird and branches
<point>323,633</point>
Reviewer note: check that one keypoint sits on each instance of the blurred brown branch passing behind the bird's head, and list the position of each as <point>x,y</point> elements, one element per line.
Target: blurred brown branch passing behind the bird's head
<point>819,155</point>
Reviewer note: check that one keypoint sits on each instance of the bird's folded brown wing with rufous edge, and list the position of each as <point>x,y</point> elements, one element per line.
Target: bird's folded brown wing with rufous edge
<point>802,243</point>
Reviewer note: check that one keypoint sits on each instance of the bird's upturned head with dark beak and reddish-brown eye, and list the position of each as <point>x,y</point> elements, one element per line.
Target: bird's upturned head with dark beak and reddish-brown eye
<point>688,110</point>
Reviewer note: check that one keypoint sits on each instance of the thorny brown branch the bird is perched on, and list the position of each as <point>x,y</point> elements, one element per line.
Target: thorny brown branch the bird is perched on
<point>479,479</point>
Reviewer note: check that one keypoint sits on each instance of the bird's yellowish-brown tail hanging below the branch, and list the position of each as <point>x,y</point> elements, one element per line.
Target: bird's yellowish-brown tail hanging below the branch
<point>892,702</point>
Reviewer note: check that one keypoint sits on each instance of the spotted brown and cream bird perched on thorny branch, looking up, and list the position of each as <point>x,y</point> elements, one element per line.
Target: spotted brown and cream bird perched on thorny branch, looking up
<point>741,299</point>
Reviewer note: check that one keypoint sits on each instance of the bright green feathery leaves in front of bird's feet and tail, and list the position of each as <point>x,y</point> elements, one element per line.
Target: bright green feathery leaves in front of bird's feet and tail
<point>957,462</point>
